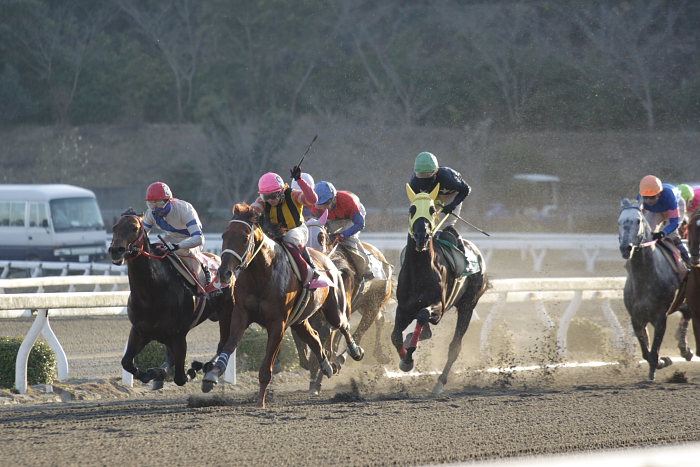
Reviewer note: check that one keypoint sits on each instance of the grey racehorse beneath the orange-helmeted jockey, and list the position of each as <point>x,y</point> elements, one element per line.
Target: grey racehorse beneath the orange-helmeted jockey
<point>651,283</point>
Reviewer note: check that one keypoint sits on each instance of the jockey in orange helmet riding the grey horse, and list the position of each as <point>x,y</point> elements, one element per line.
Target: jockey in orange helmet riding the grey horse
<point>663,207</point>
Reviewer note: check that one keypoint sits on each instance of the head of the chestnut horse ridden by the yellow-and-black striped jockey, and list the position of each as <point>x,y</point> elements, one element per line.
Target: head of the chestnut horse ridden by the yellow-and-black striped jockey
<point>239,241</point>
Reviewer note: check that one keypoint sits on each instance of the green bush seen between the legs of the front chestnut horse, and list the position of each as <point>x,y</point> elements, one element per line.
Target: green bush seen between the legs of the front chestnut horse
<point>251,350</point>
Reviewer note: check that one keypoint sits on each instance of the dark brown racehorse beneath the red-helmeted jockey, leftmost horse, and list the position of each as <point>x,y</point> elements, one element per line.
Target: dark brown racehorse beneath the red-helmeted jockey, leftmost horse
<point>161,305</point>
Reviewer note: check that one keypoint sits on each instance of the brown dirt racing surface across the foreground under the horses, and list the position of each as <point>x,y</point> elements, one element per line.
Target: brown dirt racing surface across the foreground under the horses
<point>380,421</point>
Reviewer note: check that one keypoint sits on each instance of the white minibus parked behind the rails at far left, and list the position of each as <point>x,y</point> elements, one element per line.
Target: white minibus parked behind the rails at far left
<point>50,223</point>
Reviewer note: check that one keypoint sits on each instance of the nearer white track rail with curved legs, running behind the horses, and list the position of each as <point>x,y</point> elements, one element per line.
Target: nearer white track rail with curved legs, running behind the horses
<point>538,292</point>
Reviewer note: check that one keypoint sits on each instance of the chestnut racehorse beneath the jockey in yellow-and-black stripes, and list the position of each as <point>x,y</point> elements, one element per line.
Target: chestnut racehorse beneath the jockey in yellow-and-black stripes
<point>269,293</point>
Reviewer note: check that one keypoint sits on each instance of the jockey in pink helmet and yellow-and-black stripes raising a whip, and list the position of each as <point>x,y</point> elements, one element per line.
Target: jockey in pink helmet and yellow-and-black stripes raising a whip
<point>281,207</point>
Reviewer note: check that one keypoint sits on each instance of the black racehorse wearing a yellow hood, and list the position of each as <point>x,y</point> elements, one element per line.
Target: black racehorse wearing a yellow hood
<point>428,286</point>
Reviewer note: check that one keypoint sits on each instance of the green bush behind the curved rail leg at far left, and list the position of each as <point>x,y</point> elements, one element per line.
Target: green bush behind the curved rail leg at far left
<point>41,366</point>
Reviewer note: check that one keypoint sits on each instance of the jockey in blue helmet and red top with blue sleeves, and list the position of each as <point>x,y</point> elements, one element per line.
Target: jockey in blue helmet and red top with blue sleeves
<point>346,215</point>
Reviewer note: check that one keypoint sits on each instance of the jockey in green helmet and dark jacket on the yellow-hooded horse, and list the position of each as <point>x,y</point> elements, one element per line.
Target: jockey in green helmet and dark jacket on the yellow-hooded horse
<point>453,188</point>
